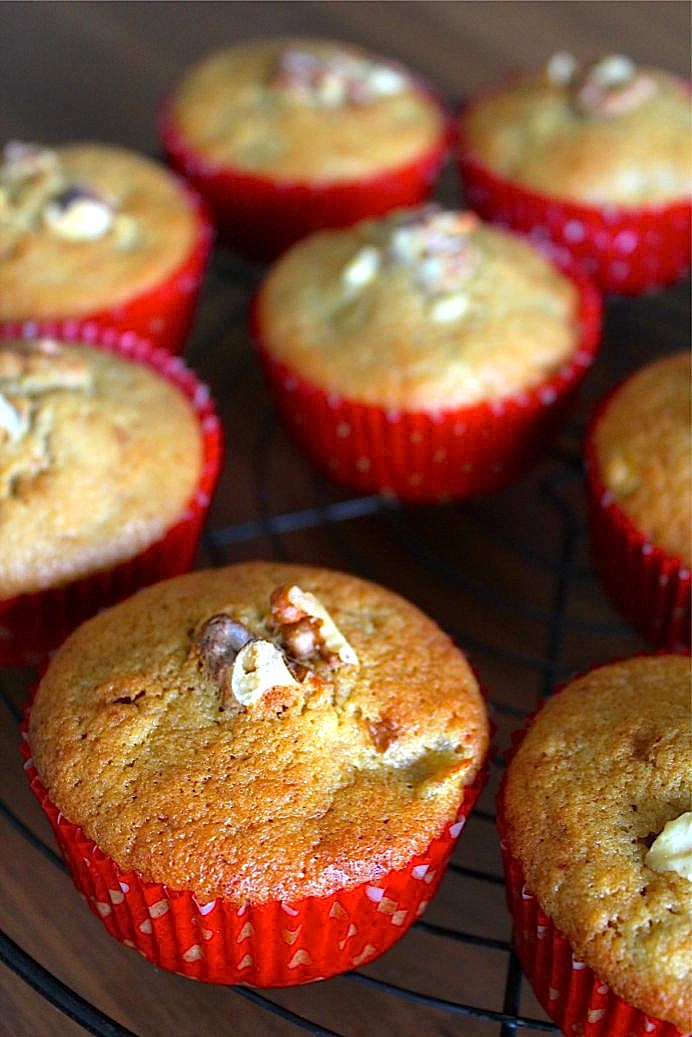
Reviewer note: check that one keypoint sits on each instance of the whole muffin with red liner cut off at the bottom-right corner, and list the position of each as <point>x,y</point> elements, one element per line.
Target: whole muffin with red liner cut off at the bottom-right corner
<point>597,838</point>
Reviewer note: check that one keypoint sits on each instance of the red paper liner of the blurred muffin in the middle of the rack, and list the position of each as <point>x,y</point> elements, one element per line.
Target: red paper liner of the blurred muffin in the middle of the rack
<point>424,457</point>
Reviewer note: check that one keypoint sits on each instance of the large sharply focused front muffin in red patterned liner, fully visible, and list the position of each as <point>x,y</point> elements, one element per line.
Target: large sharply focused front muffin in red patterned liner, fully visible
<point>257,774</point>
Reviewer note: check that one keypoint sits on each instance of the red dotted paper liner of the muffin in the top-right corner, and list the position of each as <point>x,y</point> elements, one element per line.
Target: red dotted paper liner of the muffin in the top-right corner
<point>626,250</point>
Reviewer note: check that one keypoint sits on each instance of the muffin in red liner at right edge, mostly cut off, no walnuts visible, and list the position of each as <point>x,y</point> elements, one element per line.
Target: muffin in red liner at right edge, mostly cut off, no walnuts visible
<point>640,485</point>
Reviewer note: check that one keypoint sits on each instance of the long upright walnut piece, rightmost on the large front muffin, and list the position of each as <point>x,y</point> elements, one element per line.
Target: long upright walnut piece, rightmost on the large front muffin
<point>308,629</point>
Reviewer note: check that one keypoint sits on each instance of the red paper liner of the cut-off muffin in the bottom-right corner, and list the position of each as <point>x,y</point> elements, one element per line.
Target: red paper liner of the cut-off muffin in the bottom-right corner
<point>570,992</point>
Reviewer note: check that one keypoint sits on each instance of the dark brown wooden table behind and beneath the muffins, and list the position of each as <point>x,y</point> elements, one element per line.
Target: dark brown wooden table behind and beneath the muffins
<point>509,576</point>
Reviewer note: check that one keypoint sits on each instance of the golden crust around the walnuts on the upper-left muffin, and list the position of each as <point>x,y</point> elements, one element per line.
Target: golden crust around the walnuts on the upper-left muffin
<point>43,275</point>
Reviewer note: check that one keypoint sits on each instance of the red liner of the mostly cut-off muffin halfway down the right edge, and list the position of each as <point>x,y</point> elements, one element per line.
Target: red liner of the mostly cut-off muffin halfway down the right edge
<point>652,588</point>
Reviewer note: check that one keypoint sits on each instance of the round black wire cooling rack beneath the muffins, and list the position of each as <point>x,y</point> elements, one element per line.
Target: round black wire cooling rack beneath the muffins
<point>509,577</point>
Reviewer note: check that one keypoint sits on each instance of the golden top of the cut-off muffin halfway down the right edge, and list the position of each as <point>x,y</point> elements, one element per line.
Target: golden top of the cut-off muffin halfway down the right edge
<point>644,452</point>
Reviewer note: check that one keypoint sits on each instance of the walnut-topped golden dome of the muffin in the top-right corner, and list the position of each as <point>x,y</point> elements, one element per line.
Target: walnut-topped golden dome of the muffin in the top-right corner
<point>606,132</point>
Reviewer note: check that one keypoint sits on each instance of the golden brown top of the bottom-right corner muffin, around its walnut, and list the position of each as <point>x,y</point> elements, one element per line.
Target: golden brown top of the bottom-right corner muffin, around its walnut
<point>605,765</point>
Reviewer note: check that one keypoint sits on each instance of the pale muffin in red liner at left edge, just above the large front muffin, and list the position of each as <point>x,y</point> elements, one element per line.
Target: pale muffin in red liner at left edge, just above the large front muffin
<point>108,459</point>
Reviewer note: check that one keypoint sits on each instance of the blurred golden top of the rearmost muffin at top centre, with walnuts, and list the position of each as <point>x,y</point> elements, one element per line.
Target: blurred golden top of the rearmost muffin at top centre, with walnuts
<point>306,109</point>
